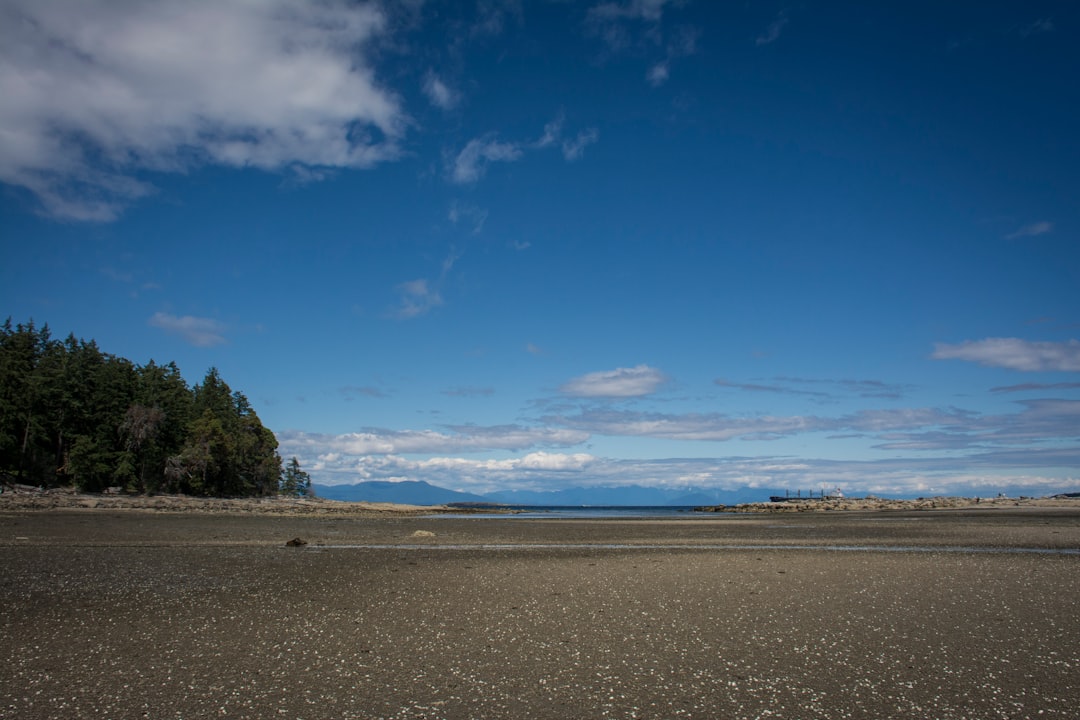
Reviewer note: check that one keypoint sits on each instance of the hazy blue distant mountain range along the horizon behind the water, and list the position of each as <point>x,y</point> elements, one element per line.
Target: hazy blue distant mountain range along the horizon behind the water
<point>416,493</point>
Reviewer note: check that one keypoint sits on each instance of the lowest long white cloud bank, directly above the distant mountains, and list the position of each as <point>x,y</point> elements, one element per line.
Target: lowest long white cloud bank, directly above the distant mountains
<point>970,476</point>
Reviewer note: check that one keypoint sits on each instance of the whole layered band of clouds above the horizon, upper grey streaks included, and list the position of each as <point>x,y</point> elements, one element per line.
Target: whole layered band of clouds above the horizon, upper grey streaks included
<point>949,453</point>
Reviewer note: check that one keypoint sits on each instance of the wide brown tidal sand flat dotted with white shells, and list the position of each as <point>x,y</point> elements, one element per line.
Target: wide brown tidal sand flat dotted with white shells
<point>112,614</point>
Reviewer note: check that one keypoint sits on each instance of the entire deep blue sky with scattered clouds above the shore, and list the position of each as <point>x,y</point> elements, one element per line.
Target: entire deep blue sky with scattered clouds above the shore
<point>551,244</point>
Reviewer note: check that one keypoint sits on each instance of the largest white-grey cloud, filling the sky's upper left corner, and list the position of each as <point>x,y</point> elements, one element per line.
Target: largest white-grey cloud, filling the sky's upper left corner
<point>97,91</point>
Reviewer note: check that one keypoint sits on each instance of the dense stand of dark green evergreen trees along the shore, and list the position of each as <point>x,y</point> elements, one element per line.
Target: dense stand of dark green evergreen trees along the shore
<point>72,415</point>
